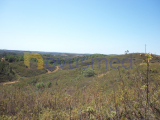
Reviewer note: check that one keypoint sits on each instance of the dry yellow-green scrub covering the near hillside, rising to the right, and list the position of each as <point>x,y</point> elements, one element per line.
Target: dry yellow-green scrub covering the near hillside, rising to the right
<point>86,94</point>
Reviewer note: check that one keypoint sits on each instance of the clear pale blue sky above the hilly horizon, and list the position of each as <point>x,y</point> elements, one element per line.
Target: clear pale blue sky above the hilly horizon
<point>80,26</point>
